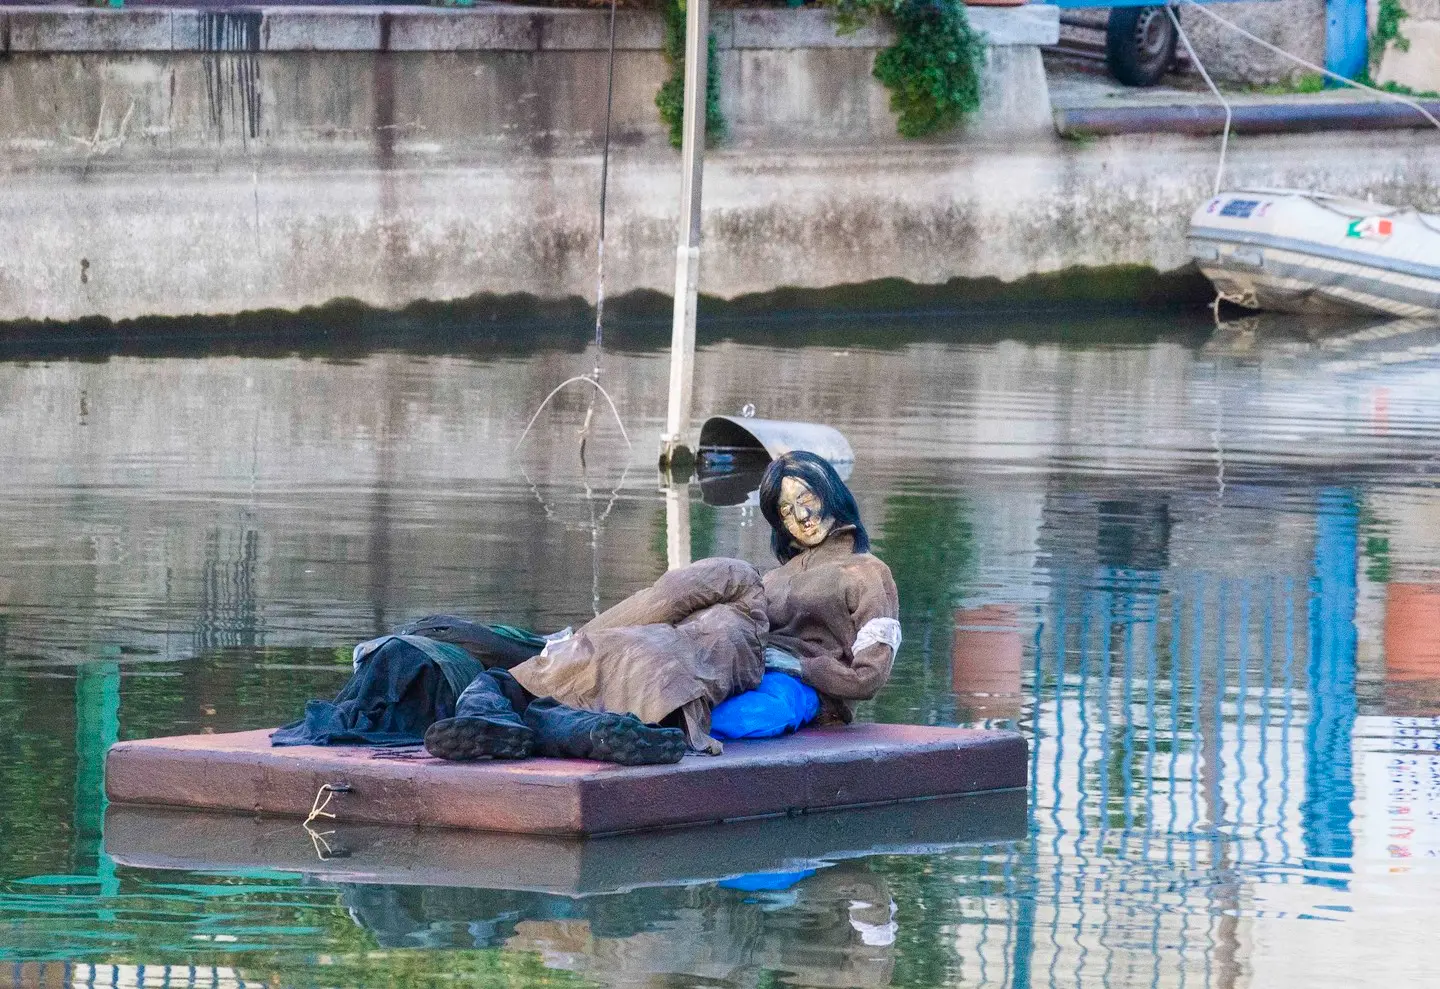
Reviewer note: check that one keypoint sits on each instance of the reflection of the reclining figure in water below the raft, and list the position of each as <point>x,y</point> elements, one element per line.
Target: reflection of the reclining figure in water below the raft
<point>832,929</point>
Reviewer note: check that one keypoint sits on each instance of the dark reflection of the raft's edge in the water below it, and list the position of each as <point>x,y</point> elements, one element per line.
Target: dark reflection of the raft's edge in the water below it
<point>169,839</point>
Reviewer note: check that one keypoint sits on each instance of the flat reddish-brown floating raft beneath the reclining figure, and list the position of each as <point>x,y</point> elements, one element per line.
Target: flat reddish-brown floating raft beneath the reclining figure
<point>811,771</point>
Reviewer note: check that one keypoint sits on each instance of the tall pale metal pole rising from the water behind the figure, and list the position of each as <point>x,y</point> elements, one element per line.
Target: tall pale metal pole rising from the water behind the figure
<point>688,253</point>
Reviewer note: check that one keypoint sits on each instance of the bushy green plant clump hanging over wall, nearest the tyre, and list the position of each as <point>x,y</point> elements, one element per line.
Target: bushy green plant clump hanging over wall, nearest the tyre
<point>932,70</point>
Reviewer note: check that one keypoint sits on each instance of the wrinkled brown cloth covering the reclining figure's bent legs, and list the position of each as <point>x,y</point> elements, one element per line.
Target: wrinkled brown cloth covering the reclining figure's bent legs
<point>685,644</point>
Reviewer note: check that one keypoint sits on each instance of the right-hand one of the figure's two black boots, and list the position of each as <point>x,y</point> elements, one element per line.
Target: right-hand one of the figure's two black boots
<point>568,733</point>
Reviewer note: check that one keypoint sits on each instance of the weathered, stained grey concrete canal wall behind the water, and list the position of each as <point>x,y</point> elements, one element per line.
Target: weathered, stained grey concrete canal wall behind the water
<point>174,163</point>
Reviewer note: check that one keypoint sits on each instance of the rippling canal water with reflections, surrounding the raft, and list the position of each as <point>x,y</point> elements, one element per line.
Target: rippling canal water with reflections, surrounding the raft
<point>1199,568</point>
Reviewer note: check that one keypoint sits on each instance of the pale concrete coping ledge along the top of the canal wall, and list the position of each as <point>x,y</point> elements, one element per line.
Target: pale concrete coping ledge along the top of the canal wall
<point>428,30</point>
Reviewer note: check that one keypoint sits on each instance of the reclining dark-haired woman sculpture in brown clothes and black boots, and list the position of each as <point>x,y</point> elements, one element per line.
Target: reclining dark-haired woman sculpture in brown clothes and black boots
<point>640,683</point>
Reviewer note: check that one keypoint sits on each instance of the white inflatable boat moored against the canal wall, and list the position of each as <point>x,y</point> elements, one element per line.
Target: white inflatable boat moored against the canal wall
<point>1307,253</point>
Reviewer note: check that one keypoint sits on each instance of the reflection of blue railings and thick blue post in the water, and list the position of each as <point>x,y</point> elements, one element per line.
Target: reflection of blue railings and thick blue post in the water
<point>1166,735</point>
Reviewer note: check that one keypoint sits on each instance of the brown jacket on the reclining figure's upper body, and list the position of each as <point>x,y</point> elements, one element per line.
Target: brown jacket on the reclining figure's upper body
<point>817,605</point>
